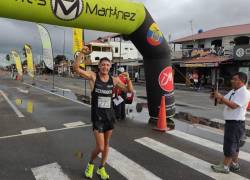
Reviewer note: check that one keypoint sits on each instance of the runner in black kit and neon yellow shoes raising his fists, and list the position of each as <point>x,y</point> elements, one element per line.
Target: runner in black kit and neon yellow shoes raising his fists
<point>102,114</point>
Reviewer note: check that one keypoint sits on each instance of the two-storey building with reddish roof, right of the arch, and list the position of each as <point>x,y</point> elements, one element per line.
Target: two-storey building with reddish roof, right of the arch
<point>223,50</point>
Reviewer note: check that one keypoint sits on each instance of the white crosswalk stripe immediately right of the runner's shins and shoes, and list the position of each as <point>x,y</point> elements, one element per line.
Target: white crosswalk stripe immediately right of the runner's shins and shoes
<point>128,168</point>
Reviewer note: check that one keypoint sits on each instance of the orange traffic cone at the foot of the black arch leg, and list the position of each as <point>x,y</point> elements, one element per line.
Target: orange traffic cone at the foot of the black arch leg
<point>162,120</point>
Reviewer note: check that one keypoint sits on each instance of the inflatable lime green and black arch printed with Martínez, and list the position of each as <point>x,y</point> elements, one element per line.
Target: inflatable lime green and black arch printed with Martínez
<point>130,19</point>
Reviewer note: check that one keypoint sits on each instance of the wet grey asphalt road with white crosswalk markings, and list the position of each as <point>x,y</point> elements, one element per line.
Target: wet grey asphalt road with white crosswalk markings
<point>42,136</point>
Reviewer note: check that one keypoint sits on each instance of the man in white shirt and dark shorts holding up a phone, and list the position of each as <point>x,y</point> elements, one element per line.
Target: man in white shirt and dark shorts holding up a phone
<point>235,102</point>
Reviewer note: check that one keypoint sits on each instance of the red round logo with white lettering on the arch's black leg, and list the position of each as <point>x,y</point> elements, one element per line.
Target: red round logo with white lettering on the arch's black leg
<point>166,81</point>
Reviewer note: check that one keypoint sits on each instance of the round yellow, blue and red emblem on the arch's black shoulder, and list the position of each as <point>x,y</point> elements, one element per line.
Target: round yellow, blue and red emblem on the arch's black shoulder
<point>154,35</point>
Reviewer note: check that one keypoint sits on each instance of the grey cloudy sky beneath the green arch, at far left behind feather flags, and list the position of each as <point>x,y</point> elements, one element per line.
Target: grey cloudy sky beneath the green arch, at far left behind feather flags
<point>14,34</point>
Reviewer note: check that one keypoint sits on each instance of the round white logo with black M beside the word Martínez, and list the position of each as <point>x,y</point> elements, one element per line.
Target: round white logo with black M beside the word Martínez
<point>67,9</point>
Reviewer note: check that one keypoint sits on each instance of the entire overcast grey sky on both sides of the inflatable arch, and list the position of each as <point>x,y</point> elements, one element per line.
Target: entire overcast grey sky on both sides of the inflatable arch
<point>172,16</point>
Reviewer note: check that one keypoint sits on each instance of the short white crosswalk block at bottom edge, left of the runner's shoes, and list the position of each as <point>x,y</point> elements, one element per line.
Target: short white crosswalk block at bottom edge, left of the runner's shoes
<point>49,172</point>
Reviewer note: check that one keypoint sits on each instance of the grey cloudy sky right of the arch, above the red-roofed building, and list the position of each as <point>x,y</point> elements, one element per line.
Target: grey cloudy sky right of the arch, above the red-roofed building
<point>175,16</point>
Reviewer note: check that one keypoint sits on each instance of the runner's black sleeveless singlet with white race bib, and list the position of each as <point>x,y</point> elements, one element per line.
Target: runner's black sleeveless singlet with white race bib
<point>101,109</point>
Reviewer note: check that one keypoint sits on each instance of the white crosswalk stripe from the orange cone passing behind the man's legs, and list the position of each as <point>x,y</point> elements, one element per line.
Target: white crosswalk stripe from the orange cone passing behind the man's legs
<point>206,143</point>
